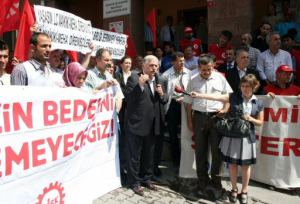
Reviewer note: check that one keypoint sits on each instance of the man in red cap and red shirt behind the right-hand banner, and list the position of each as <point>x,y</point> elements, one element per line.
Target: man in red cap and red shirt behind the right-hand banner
<point>282,85</point>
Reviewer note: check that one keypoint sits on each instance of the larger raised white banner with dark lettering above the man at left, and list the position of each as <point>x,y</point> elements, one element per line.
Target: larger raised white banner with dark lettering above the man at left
<point>67,31</point>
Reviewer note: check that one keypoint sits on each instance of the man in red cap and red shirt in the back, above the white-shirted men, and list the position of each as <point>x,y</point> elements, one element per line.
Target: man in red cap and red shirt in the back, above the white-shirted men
<point>189,40</point>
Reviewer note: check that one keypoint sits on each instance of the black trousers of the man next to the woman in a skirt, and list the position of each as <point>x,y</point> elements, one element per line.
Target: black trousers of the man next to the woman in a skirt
<point>206,136</point>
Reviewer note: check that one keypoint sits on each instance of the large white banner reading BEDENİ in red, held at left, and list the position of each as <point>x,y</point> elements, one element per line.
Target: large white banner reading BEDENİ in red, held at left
<point>57,145</point>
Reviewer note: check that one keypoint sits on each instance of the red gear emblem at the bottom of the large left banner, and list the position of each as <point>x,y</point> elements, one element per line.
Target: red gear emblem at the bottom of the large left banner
<point>52,194</point>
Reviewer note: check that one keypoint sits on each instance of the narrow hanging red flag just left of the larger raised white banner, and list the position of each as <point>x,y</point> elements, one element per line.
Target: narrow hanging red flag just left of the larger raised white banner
<point>23,39</point>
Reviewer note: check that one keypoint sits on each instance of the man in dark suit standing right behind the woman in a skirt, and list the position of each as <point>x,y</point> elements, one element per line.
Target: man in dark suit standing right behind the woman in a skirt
<point>241,69</point>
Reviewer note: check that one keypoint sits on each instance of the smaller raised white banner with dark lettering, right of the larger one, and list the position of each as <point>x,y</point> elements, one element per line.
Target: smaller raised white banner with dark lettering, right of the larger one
<point>115,42</point>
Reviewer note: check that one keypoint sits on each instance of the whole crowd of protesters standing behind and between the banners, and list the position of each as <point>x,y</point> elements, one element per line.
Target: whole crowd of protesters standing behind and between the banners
<point>150,94</point>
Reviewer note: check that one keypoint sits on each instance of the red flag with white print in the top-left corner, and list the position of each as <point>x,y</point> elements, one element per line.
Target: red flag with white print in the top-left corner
<point>9,15</point>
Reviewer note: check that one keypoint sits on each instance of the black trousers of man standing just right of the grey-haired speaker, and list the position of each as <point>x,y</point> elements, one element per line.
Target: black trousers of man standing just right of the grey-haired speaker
<point>173,123</point>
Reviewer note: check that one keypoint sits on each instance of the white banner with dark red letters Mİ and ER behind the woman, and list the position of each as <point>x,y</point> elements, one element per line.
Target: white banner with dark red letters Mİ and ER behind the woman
<point>278,145</point>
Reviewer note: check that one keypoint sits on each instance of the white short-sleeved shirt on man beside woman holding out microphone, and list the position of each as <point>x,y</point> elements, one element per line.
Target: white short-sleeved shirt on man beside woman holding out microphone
<point>215,84</point>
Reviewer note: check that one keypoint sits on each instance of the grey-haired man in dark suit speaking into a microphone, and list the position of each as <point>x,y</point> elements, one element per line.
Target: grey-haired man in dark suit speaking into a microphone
<point>145,99</point>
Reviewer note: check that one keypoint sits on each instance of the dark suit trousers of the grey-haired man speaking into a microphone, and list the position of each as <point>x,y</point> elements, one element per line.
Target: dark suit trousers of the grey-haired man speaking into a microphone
<point>140,158</point>
